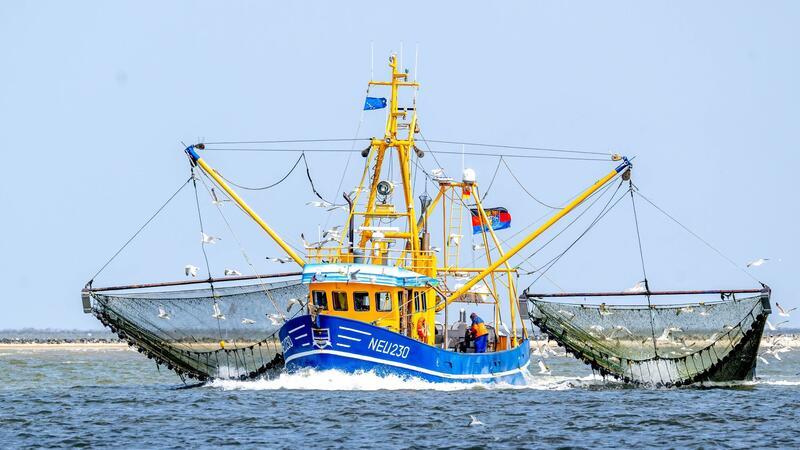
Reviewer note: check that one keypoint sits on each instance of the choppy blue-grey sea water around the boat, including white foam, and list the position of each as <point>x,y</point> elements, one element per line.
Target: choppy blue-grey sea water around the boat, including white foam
<point>114,397</point>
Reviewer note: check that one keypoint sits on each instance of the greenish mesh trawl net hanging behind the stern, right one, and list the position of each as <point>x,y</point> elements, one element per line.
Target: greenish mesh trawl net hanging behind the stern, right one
<point>660,345</point>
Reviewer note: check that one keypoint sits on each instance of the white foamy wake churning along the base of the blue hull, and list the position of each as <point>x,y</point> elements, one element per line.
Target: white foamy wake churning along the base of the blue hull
<point>335,380</point>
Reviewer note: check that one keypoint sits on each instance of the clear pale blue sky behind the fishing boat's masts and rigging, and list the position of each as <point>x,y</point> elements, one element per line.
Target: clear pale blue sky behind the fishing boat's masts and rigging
<point>96,98</point>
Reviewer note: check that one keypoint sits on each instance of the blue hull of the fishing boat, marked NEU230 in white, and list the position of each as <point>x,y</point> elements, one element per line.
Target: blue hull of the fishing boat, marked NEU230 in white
<point>352,346</point>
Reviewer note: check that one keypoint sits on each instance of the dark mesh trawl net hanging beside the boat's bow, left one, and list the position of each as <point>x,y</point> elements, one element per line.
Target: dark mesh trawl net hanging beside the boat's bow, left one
<point>230,333</point>
